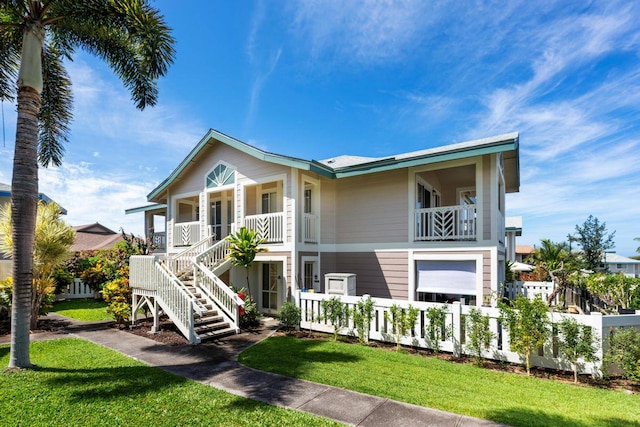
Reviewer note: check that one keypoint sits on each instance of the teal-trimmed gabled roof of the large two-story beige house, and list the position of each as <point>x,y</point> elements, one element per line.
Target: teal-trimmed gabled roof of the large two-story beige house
<point>345,166</point>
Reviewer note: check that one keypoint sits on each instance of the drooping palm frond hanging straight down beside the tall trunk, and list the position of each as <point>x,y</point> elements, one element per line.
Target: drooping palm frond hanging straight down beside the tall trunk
<point>56,110</point>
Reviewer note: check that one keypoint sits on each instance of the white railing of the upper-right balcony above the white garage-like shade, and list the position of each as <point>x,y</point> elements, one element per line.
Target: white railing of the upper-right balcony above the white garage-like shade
<point>445,223</point>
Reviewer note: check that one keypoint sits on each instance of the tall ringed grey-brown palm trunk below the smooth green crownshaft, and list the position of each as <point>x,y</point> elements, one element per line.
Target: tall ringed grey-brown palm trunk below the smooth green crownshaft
<point>24,204</point>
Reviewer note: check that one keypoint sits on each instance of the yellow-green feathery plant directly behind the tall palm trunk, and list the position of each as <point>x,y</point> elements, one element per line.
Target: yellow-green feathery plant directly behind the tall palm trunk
<point>53,238</point>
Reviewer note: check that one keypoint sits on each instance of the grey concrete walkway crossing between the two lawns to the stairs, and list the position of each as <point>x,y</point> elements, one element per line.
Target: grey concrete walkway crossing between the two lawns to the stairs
<point>215,364</point>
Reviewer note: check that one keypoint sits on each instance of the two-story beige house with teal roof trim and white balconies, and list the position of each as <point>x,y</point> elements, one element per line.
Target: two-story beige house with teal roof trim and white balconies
<point>427,225</point>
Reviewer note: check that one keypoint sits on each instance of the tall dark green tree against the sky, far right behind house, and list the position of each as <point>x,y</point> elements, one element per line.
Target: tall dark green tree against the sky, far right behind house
<point>594,240</point>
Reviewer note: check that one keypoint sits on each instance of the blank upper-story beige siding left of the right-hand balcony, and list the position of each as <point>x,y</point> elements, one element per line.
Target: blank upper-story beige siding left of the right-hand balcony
<point>372,208</point>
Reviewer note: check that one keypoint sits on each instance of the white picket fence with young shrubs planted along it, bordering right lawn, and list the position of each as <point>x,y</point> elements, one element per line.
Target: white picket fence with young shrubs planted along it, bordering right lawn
<point>456,341</point>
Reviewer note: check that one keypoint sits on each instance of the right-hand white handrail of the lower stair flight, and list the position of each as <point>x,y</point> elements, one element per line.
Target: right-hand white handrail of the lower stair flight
<point>223,296</point>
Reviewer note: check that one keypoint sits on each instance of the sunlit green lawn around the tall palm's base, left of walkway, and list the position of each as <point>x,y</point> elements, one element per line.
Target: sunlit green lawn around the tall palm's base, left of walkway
<point>77,383</point>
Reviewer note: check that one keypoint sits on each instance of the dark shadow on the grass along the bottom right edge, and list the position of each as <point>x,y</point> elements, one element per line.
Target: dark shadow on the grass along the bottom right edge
<point>523,417</point>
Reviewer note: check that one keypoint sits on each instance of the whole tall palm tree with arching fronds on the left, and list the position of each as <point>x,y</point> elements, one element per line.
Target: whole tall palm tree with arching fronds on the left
<point>35,37</point>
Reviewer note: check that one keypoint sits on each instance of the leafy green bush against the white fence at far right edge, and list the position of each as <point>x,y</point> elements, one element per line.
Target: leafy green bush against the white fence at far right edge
<point>624,351</point>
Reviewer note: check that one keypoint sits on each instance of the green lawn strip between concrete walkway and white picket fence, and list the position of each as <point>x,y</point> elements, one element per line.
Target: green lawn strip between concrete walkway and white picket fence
<point>461,388</point>
